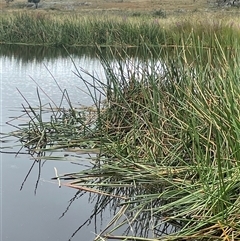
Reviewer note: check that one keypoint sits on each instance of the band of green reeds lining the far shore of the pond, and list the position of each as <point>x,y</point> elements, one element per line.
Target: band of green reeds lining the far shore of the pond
<point>40,28</point>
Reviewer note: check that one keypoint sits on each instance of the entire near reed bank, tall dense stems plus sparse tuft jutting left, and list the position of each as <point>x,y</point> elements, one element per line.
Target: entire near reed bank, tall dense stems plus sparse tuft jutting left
<point>166,138</point>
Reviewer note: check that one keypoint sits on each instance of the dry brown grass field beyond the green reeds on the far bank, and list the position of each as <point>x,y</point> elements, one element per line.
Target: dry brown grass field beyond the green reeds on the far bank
<point>110,5</point>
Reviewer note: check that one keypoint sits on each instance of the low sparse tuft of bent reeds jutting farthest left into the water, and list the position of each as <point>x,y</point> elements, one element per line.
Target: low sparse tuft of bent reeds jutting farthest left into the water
<point>53,126</point>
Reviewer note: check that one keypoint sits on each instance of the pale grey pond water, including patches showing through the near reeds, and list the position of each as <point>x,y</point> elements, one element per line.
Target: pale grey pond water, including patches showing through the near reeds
<point>24,214</point>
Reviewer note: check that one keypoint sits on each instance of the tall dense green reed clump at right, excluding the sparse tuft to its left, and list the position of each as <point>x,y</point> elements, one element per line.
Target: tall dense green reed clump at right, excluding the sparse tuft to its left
<point>173,144</point>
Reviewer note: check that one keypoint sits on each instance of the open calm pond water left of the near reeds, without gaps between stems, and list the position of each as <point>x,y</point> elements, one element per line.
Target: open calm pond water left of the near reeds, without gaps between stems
<point>24,215</point>
